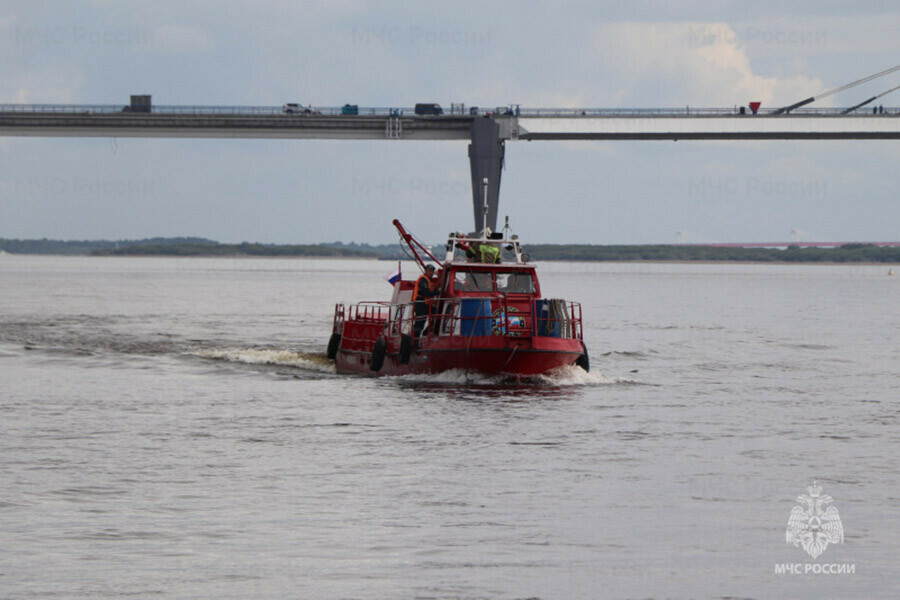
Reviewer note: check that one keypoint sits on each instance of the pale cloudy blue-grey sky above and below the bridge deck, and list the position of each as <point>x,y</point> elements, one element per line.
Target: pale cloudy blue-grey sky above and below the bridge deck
<point>640,54</point>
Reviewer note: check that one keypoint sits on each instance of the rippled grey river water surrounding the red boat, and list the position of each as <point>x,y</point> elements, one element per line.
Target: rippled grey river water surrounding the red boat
<point>169,428</point>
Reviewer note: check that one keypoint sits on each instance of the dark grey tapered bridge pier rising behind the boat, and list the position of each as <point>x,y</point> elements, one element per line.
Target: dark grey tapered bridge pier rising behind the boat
<point>486,160</point>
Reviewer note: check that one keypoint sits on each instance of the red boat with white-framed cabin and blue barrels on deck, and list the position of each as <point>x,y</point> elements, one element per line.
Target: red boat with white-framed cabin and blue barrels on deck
<point>484,317</point>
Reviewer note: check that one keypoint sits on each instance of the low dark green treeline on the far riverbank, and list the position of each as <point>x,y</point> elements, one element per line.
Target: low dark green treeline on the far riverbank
<point>586,252</point>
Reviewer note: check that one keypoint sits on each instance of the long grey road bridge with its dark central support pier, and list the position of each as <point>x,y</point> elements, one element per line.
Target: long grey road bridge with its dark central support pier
<point>487,130</point>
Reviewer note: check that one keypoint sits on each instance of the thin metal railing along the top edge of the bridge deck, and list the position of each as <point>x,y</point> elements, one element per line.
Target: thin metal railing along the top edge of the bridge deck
<point>335,111</point>
